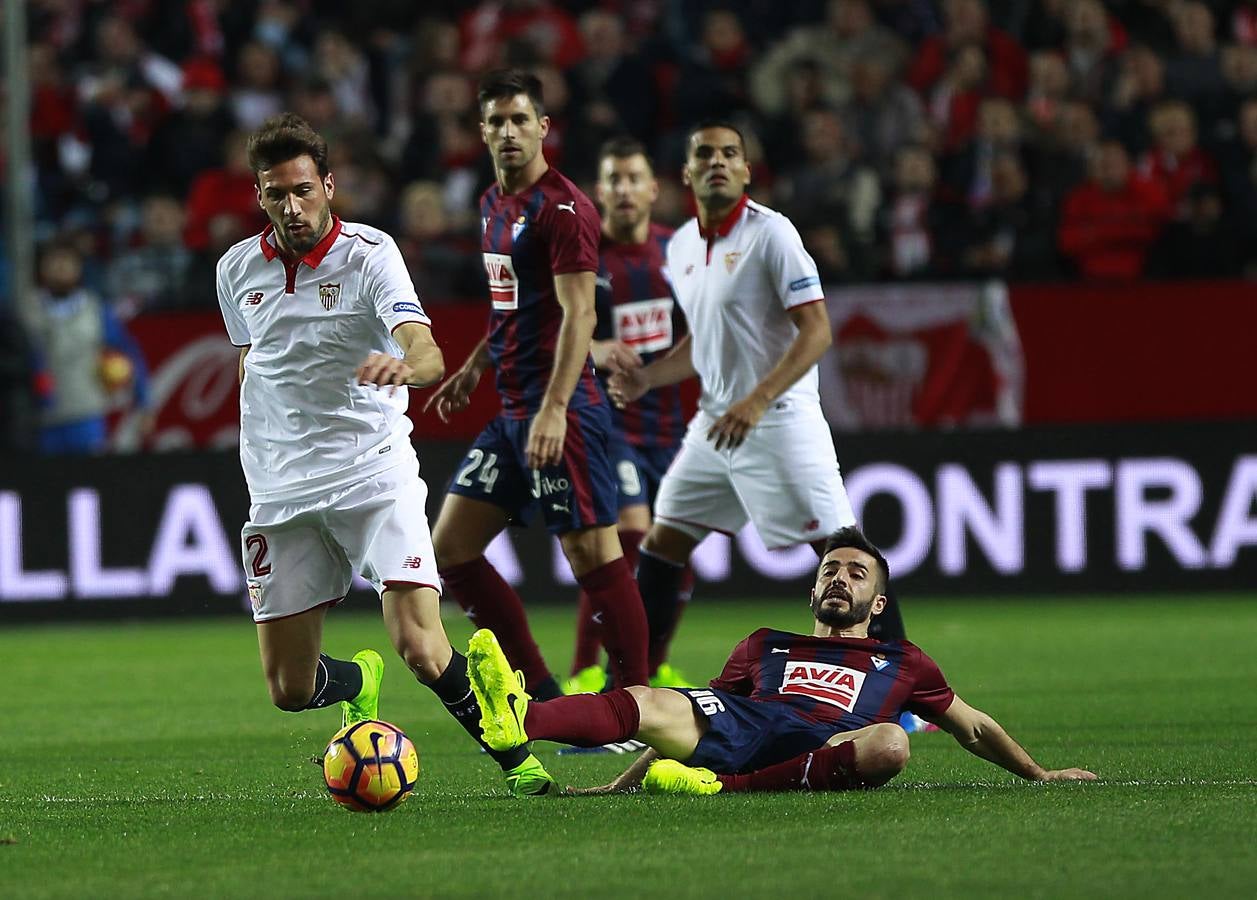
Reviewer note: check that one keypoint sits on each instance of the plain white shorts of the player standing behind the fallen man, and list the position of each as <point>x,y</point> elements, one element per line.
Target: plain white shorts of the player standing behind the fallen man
<point>784,480</point>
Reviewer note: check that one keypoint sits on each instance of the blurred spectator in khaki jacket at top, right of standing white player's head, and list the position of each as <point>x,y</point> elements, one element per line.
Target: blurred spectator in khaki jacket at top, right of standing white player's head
<point>849,33</point>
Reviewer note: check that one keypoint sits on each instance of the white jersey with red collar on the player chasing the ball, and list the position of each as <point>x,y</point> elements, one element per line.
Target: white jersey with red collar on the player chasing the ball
<point>306,425</point>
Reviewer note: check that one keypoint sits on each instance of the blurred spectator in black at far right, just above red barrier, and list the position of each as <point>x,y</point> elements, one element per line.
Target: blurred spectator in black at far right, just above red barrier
<point>1205,246</point>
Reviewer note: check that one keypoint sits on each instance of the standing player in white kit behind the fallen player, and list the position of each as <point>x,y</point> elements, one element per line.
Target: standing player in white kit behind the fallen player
<point>759,449</point>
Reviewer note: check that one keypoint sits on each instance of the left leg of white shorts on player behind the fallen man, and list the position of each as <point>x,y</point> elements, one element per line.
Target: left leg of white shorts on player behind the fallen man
<point>697,493</point>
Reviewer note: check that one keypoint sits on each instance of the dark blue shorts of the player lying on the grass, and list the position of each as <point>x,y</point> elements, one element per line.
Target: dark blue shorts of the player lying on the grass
<point>746,735</point>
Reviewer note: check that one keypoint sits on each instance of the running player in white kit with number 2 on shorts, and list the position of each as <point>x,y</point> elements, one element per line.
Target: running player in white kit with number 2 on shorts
<point>330,327</point>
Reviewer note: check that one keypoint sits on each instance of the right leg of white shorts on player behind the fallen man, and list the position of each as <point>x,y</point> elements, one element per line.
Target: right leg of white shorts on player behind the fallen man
<point>789,481</point>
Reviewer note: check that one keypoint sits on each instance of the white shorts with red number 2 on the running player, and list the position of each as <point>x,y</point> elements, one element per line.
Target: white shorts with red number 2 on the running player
<point>299,556</point>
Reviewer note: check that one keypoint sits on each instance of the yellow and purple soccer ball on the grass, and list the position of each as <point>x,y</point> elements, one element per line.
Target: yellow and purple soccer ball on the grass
<point>370,766</point>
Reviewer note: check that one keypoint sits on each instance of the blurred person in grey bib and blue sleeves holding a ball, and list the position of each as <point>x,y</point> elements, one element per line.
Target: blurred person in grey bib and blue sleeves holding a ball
<point>87,355</point>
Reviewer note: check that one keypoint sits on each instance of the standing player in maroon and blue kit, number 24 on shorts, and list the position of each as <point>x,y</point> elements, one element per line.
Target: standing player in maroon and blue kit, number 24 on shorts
<point>547,449</point>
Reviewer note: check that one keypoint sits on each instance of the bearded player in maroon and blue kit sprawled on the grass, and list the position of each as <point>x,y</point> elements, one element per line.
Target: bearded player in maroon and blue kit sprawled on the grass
<point>790,712</point>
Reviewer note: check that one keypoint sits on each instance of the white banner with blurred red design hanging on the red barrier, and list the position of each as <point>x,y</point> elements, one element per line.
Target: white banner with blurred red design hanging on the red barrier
<point>922,356</point>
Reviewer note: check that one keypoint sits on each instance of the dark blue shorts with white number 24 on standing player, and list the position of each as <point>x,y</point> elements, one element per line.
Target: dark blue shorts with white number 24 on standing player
<point>578,493</point>
